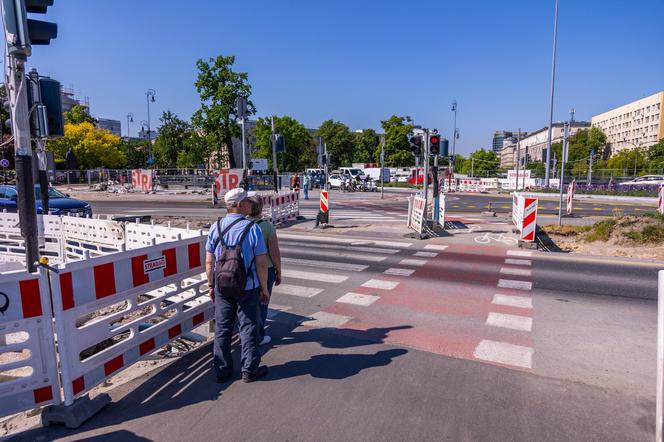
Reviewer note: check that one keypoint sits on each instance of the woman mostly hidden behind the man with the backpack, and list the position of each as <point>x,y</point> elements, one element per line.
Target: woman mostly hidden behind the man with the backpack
<point>273,258</point>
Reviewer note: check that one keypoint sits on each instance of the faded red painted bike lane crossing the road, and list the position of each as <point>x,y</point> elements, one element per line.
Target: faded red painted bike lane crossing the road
<point>445,304</point>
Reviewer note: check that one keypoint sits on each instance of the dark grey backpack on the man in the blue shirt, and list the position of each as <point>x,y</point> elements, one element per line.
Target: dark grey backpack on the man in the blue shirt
<point>230,275</point>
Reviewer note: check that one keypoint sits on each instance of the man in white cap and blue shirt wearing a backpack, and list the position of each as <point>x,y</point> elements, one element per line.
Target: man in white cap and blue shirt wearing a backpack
<point>236,268</point>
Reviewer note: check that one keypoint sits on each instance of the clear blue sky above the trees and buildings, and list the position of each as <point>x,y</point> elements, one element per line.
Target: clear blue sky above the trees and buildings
<point>361,61</point>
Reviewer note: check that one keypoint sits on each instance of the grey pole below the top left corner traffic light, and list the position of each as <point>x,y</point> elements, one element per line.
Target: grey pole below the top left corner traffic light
<point>27,211</point>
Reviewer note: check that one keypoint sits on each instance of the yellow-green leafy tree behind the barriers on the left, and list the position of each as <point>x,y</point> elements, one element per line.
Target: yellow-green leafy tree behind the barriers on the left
<point>93,147</point>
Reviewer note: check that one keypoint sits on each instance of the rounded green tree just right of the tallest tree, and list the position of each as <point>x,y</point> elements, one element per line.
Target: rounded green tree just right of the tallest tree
<point>300,148</point>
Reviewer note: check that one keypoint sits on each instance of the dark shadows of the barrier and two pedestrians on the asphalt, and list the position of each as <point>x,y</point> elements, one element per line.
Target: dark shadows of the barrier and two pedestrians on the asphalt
<point>190,380</point>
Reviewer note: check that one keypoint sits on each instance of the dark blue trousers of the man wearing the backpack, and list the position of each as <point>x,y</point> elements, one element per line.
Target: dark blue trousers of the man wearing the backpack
<point>247,311</point>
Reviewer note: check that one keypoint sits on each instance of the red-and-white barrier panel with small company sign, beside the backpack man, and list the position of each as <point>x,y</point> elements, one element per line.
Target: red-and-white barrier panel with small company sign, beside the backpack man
<point>162,286</point>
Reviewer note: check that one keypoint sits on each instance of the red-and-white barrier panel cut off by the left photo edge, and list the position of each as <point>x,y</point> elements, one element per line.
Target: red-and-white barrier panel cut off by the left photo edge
<point>27,347</point>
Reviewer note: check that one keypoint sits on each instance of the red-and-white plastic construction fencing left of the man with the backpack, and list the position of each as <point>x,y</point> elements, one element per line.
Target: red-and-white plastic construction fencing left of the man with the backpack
<point>122,292</point>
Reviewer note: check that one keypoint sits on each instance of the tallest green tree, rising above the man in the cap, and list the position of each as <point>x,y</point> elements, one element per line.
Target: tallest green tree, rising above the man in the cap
<point>219,87</point>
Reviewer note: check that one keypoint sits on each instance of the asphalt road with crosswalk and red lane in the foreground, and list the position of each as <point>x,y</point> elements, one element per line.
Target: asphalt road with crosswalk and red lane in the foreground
<point>390,339</point>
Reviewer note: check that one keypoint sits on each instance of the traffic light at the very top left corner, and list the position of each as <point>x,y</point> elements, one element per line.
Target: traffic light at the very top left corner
<point>22,32</point>
